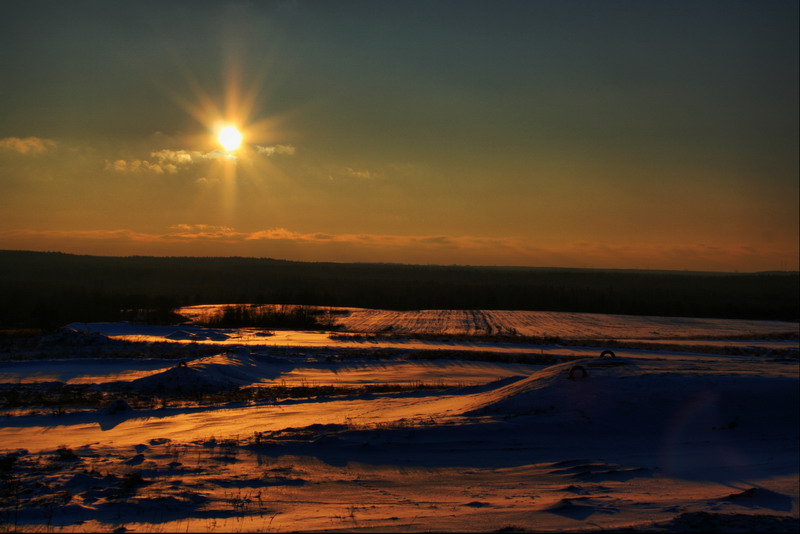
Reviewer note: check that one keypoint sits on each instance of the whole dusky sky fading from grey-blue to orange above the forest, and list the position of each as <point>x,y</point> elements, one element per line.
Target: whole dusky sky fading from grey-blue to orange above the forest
<point>565,133</point>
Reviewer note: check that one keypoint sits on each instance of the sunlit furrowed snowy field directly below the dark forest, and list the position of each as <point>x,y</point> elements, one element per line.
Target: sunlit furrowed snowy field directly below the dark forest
<point>437,325</point>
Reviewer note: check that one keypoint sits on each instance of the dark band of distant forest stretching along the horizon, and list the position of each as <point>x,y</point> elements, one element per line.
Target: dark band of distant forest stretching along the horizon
<point>49,289</point>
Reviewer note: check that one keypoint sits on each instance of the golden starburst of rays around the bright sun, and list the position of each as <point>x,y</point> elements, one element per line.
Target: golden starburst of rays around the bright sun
<point>240,139</point>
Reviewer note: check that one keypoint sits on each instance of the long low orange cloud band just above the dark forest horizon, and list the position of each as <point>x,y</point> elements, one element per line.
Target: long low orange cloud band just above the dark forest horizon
<point>207,239</point>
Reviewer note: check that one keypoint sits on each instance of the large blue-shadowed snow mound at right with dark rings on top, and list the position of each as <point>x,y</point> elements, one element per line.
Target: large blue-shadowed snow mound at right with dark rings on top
<point>616,398</point>
